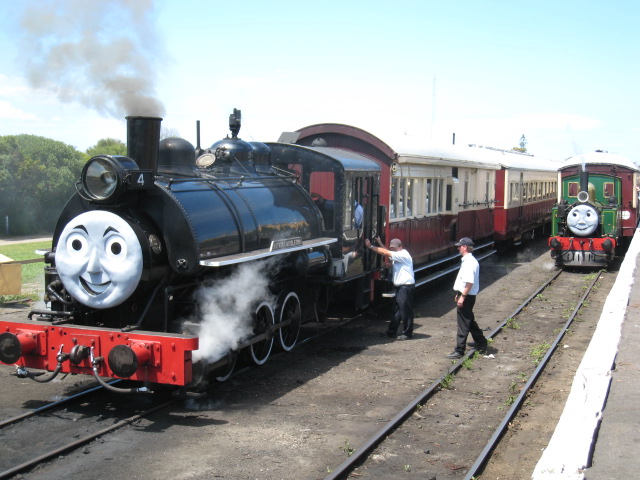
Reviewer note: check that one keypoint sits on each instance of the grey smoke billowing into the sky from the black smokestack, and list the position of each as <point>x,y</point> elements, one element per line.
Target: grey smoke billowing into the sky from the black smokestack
<point>99,53</point>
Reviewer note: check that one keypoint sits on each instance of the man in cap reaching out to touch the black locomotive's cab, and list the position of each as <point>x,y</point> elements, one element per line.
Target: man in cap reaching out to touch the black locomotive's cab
<point>404,281</point>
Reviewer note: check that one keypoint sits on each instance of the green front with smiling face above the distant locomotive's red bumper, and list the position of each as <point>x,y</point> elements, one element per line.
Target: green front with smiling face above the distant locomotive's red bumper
<point>604,193</point>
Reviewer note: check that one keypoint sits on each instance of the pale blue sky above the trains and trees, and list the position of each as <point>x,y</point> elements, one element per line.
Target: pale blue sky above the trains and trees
<point>563,73</point>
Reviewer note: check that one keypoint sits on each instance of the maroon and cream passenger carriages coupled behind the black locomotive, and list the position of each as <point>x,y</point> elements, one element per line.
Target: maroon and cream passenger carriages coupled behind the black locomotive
<point>430,197</point>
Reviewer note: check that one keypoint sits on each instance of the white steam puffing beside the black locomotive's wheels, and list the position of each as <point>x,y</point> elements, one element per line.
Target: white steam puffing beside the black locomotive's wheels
<point>227,307</point>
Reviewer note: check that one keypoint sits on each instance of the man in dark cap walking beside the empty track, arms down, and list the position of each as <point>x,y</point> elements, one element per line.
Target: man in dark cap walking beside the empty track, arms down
<point>466,287</point>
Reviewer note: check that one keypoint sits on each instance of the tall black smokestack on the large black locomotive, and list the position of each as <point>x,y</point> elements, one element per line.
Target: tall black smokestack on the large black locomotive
<point>143,140</point>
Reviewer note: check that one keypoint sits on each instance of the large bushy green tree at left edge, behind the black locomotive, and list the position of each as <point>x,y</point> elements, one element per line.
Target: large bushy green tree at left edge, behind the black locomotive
<point>37,177</point>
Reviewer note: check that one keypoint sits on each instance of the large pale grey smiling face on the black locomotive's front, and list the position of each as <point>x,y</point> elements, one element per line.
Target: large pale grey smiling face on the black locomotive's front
<point>99,259</point>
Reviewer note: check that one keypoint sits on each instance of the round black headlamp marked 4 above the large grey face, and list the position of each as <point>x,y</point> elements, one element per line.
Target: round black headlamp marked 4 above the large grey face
<point>105,178</point>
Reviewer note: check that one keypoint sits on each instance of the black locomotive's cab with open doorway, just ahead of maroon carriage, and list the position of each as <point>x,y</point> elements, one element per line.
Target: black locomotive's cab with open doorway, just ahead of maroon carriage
<point>345,187</point>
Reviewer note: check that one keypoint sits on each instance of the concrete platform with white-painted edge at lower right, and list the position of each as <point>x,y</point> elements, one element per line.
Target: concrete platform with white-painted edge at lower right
<point>598,434</point>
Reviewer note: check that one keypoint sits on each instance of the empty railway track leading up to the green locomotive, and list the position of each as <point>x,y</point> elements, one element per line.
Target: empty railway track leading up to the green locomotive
<point>363,460</point>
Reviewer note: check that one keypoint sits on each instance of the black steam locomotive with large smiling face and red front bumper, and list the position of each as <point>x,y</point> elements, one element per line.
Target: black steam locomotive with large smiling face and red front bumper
<point>175,250</point>
